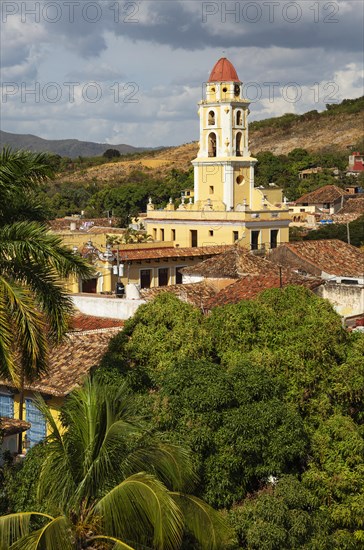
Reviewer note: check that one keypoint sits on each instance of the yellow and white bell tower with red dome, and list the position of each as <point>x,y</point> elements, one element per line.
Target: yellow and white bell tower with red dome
<point>224,168</point>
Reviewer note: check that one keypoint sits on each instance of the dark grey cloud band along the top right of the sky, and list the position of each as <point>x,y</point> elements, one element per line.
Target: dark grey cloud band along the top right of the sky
<point>206,24</point>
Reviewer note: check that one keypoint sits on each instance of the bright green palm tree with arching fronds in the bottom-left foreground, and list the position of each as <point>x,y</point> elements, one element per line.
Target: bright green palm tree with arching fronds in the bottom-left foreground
<point>108,483</point>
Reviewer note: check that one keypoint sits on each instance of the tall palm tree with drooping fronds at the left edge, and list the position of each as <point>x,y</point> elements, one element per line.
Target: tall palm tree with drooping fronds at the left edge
<point>34,307</point>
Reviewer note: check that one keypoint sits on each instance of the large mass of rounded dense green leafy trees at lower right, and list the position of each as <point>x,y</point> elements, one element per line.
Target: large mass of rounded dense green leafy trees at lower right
<point>268,395</point>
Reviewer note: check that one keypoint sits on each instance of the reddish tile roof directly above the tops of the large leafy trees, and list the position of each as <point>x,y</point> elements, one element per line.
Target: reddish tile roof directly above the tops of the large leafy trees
<point>250,286</point>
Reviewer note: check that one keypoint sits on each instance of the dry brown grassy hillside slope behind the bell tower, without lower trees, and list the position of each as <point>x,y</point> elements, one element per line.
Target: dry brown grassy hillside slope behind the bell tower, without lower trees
<point>336,128</point>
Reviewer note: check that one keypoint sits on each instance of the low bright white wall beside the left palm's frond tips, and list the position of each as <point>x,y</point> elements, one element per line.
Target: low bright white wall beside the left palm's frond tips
<point>112,308</point>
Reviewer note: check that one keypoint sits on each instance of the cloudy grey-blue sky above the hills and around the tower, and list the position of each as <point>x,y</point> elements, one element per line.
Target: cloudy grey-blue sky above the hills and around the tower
<point>133,72</point>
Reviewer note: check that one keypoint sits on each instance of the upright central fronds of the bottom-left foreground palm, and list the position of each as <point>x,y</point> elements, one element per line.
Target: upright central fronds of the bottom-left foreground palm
<point>84,458</point>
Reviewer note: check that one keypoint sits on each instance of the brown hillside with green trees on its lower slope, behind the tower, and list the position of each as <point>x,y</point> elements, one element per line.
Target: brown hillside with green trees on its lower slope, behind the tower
<point>122,186</point>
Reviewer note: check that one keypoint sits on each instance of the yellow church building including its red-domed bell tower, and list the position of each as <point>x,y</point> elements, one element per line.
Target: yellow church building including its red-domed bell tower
<point>226,206</point>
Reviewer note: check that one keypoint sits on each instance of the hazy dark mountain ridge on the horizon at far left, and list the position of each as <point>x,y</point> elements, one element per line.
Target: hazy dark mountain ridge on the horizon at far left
<point>72,148</point>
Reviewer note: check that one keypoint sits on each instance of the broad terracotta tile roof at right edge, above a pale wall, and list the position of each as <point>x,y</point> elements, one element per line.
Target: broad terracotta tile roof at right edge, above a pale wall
<point>331,256</point>
